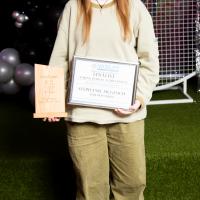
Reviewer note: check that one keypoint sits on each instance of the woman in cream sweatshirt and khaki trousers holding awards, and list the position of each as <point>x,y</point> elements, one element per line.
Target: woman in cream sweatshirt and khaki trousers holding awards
<point>107,146</point>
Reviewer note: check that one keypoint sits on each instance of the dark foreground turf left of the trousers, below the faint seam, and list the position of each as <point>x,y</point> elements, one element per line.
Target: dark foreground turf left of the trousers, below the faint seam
<point>36,179</point>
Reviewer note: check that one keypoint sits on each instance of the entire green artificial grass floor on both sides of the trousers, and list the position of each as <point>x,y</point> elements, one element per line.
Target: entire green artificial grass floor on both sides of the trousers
<point>34,164</point>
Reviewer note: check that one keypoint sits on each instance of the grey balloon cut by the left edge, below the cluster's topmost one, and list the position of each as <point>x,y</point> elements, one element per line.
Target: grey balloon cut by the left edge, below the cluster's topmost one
<point>6,72</point>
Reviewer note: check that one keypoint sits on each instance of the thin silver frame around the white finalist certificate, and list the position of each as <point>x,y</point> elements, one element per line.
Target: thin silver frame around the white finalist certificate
<point>98,105</point>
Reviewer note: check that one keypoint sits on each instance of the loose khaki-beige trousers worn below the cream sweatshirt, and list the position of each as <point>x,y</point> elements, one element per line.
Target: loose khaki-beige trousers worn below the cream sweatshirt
<point>109,160</point>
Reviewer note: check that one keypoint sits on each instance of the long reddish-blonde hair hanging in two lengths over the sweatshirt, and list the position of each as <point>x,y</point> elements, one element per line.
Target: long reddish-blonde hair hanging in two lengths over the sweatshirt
<point>122,6</point>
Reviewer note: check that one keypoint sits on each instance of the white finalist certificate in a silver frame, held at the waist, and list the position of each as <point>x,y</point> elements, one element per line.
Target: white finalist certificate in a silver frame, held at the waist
<point>101,83</point>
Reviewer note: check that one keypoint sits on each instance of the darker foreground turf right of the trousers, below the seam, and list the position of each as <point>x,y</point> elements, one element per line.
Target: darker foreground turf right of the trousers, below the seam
<point>173,177</point>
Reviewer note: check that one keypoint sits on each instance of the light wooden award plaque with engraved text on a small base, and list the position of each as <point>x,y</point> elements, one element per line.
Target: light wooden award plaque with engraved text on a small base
<point>49,92</point>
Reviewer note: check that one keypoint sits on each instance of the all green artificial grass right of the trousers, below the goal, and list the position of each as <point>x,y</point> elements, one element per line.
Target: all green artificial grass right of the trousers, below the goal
<point>173,153</point>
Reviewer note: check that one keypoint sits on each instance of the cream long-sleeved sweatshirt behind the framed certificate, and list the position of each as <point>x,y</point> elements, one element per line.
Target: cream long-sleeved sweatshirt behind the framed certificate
<point>106,42</point>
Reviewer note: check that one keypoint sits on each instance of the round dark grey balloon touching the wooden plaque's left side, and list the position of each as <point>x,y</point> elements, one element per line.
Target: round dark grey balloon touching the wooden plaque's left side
<point>24,74</point>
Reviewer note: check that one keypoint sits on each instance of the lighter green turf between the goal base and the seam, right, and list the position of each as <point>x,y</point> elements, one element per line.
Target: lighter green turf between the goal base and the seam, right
<point>173,128</point>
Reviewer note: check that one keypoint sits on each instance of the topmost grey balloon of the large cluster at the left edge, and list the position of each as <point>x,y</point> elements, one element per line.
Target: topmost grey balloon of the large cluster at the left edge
<point>10,56</point>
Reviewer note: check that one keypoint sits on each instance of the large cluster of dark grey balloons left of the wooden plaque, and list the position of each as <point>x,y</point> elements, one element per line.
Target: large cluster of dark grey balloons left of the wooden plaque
<point>13,74</point>
